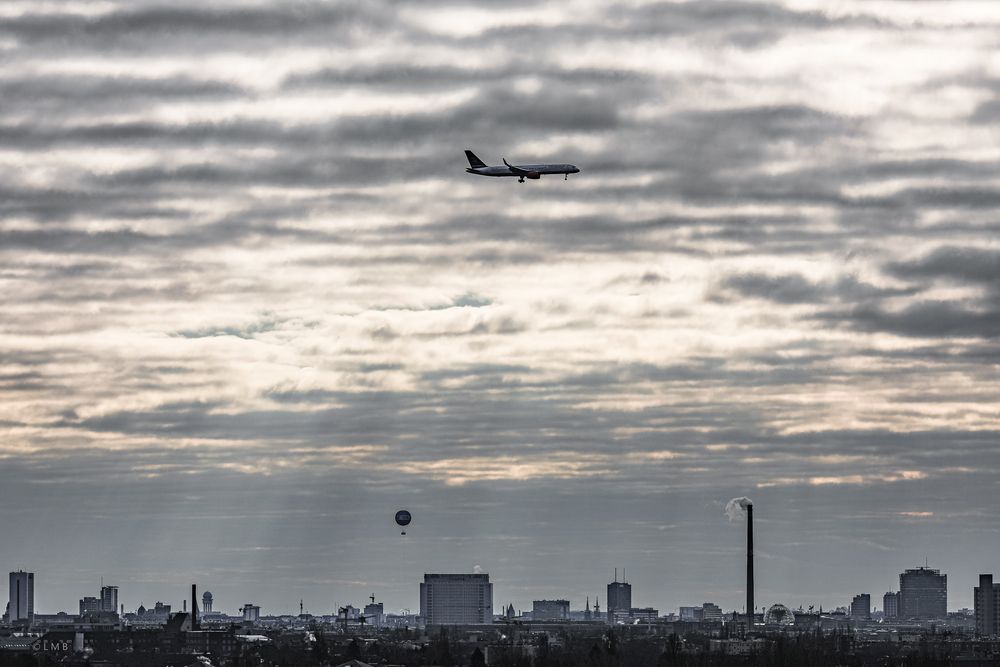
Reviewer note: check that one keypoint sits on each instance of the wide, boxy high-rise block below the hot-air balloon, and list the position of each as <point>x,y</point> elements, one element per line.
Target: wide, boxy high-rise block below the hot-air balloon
<point>456,599</point>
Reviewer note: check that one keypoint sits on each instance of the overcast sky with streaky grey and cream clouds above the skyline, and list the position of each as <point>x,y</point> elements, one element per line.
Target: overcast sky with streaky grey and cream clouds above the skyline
<point>251,304</point>
